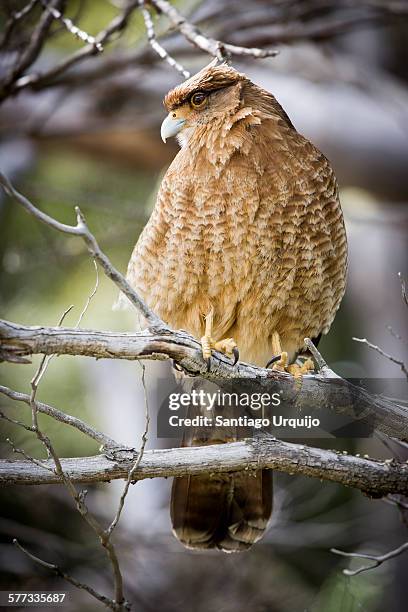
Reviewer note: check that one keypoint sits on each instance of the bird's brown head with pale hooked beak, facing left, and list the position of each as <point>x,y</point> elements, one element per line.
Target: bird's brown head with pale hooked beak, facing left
<point>202,99</point>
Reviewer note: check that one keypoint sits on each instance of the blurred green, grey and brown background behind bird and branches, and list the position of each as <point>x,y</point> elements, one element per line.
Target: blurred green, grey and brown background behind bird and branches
<point>91,138</point>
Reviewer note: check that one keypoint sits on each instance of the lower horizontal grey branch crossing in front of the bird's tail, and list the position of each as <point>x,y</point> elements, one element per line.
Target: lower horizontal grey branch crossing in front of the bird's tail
<point>374,478</point>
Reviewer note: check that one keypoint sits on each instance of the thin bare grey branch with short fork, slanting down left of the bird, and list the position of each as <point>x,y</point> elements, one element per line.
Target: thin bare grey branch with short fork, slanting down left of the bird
<point>81,230</point>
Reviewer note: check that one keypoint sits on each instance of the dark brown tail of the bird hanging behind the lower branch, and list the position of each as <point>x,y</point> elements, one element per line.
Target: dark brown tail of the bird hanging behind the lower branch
<point>225,511</point>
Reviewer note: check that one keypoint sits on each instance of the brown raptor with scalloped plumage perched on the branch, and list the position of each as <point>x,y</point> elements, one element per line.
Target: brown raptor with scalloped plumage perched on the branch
<point>245,248</point>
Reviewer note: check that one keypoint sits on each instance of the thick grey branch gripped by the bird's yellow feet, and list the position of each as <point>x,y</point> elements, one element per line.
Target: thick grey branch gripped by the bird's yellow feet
<point>326,390</point>
